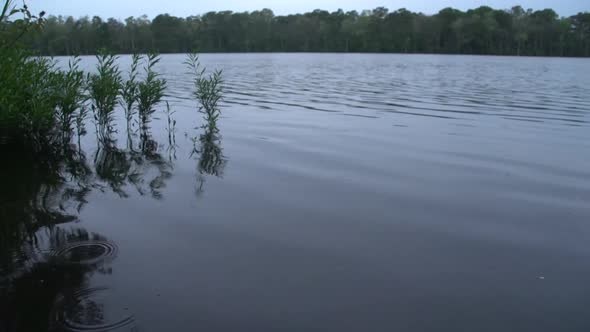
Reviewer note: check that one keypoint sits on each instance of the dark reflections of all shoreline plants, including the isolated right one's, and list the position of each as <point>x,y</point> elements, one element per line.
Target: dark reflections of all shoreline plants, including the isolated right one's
<point>45,261</point>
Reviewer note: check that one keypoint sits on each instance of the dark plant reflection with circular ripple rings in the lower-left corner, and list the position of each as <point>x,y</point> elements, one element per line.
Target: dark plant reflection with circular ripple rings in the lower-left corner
<point>43,292</point>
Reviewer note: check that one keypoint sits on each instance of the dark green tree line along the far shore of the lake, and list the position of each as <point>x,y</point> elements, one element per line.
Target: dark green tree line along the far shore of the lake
<point>478,31</point>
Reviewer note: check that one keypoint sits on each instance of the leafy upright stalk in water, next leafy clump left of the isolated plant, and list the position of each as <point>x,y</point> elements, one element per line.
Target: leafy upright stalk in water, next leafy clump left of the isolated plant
<point>150,91</point>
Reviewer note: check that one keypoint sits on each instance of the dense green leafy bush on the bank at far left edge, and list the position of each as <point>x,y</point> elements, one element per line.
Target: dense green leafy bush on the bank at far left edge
<point>27,84</point>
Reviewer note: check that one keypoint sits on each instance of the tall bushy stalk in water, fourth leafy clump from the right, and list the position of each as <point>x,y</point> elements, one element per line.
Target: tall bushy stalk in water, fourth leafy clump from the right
<point>103,90</point>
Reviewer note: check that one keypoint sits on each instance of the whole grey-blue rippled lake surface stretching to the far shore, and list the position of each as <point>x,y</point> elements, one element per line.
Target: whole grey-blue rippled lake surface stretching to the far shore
<point>346,193</point>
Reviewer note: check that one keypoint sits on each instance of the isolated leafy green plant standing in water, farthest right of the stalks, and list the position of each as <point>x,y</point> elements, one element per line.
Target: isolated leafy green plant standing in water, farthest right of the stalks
<point>208,90</point>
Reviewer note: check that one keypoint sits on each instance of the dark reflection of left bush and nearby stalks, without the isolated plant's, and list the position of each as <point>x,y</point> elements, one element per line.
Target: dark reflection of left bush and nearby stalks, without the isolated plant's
<point>41,192</point>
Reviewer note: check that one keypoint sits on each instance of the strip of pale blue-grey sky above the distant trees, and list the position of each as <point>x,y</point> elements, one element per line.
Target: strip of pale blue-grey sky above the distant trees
<point>125,8</point>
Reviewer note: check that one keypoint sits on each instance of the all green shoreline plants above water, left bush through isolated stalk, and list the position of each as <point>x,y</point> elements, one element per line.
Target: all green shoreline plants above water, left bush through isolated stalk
<point>43,107</point>
